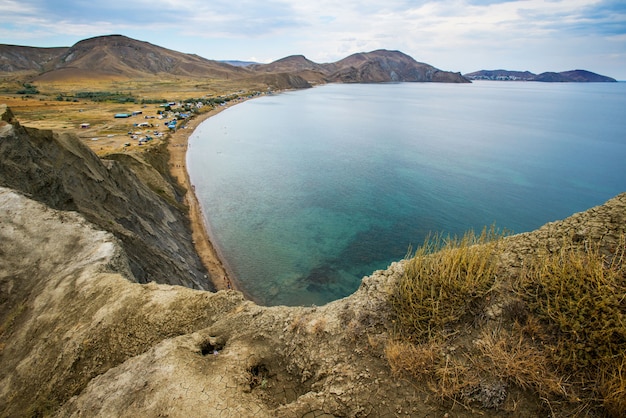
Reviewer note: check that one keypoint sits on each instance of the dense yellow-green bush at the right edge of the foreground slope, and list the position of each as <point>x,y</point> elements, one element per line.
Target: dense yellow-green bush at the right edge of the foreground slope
<point>577,297</point>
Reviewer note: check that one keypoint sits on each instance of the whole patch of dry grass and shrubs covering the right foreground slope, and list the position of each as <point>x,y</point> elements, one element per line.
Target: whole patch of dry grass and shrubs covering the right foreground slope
<point>555,328</point>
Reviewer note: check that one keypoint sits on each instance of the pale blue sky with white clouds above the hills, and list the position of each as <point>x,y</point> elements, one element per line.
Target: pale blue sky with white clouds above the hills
<point>453,35</point>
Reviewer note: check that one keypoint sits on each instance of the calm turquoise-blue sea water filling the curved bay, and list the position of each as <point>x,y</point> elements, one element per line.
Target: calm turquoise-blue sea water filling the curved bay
<point>306,192</point>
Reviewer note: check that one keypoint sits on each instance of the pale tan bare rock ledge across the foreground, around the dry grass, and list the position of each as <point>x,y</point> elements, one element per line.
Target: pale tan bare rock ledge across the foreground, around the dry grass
<point>79,338</point>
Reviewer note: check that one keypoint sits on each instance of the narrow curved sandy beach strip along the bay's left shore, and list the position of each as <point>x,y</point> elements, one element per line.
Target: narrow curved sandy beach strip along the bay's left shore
<point>178,146</point>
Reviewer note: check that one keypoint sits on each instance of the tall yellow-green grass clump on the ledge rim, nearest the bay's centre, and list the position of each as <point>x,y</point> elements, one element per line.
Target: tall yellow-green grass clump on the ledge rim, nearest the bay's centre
<point>445,280</point>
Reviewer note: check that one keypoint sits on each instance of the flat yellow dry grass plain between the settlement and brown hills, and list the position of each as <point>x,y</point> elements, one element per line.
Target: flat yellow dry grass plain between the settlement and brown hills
<point>57,107</point>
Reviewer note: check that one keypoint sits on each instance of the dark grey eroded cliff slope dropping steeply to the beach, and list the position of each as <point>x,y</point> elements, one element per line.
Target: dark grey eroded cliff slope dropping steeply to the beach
<point>125,196</point>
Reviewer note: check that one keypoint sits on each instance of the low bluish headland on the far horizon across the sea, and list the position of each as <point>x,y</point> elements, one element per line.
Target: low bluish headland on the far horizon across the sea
<point>580,76</point>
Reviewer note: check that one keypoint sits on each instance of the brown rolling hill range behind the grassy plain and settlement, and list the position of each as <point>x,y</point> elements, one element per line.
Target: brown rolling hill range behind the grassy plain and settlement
<point>119,57</point>
